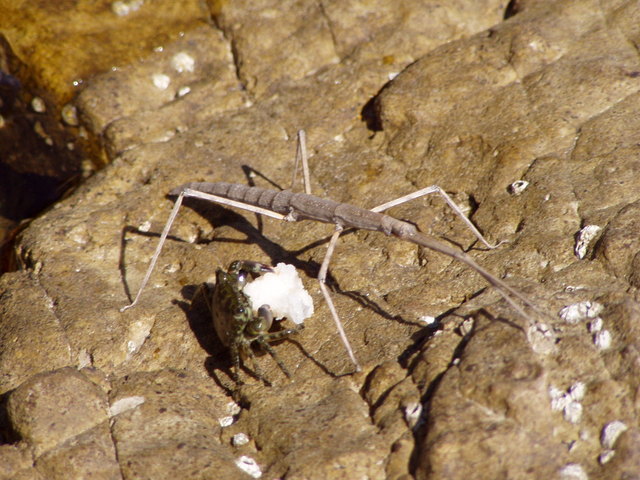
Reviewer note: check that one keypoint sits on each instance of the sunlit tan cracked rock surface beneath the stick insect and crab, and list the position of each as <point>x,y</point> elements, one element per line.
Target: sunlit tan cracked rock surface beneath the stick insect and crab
<point>474,103</point>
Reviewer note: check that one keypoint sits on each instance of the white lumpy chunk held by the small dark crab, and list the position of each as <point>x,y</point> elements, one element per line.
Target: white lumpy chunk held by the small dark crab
<point>283,291</point>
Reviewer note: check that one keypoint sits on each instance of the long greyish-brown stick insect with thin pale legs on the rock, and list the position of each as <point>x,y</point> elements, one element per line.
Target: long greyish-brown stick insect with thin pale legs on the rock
<point>293,207</point>
